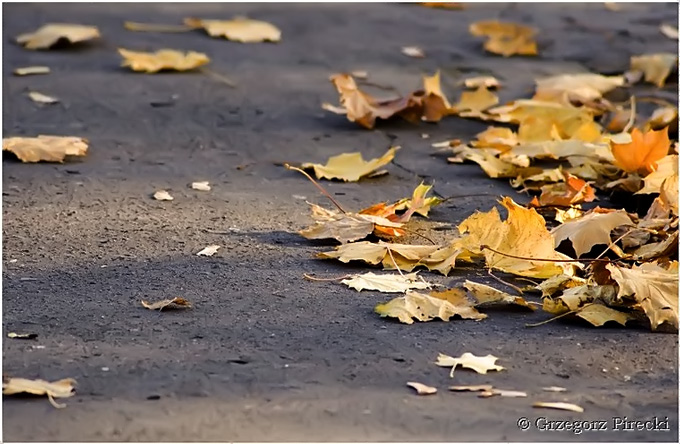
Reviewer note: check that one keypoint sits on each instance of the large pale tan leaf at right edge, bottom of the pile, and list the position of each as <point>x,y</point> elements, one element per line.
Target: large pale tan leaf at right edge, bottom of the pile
<point>655,289</point>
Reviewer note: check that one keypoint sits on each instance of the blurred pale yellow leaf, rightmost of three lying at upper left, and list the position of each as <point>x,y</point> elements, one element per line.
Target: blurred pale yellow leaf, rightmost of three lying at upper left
<point>238,29</point>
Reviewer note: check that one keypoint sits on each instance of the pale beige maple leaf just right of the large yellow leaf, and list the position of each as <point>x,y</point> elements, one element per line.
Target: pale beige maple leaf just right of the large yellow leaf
<point>589,230</point>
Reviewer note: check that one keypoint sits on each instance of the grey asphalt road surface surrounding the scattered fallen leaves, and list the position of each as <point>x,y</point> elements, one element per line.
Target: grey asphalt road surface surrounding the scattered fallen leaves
<point>265,354</point>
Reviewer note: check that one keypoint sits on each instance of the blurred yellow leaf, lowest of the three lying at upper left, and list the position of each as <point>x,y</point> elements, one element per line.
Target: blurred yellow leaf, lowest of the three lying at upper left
<point>164,59</point>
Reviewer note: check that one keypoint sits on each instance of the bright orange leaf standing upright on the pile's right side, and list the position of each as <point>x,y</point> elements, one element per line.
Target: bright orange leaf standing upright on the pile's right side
<point>642,153</point>
